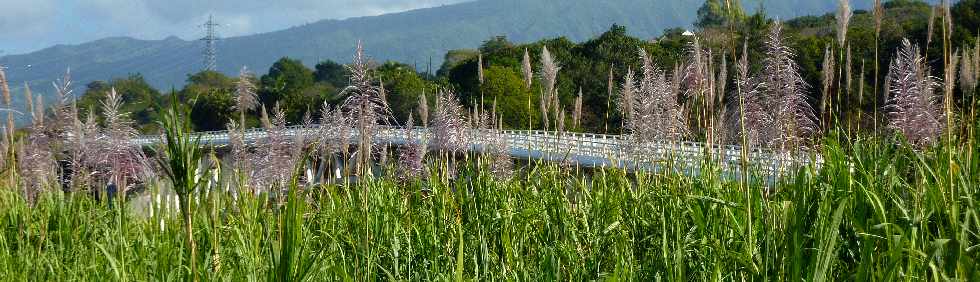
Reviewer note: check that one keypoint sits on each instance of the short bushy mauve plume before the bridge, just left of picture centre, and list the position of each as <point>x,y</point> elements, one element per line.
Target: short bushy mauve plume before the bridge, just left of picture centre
<point>448,124</point>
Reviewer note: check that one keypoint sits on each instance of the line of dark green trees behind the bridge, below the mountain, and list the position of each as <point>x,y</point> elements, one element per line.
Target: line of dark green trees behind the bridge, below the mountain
<point>299,89</point>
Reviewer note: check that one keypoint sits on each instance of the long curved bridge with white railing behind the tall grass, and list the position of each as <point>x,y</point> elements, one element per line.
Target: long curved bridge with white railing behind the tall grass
<point>581,149</point>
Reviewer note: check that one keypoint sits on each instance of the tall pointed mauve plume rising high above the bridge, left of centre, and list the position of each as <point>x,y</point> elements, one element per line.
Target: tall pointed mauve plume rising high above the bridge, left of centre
<point>366,105</point>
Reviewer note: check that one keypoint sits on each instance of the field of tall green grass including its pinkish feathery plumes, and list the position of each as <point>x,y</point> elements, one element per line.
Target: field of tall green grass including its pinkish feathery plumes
<point>896,200</point>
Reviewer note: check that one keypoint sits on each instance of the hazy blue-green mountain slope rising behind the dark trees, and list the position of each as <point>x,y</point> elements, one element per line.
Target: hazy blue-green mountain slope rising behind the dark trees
<point>413,37</point>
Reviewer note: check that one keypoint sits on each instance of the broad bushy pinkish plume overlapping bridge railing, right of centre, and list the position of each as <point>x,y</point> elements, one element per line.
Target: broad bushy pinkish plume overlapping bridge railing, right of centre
<point>657,117</point>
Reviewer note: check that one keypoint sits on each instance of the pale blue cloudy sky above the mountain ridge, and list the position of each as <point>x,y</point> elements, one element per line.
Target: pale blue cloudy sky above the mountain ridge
<point>30,25</point>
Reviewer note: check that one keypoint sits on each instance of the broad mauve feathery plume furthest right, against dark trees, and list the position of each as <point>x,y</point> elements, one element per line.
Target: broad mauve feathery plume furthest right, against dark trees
<point>912,106</point>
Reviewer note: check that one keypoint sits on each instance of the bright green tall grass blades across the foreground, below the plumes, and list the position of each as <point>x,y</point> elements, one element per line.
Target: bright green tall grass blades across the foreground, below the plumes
<point>874,211</point>
